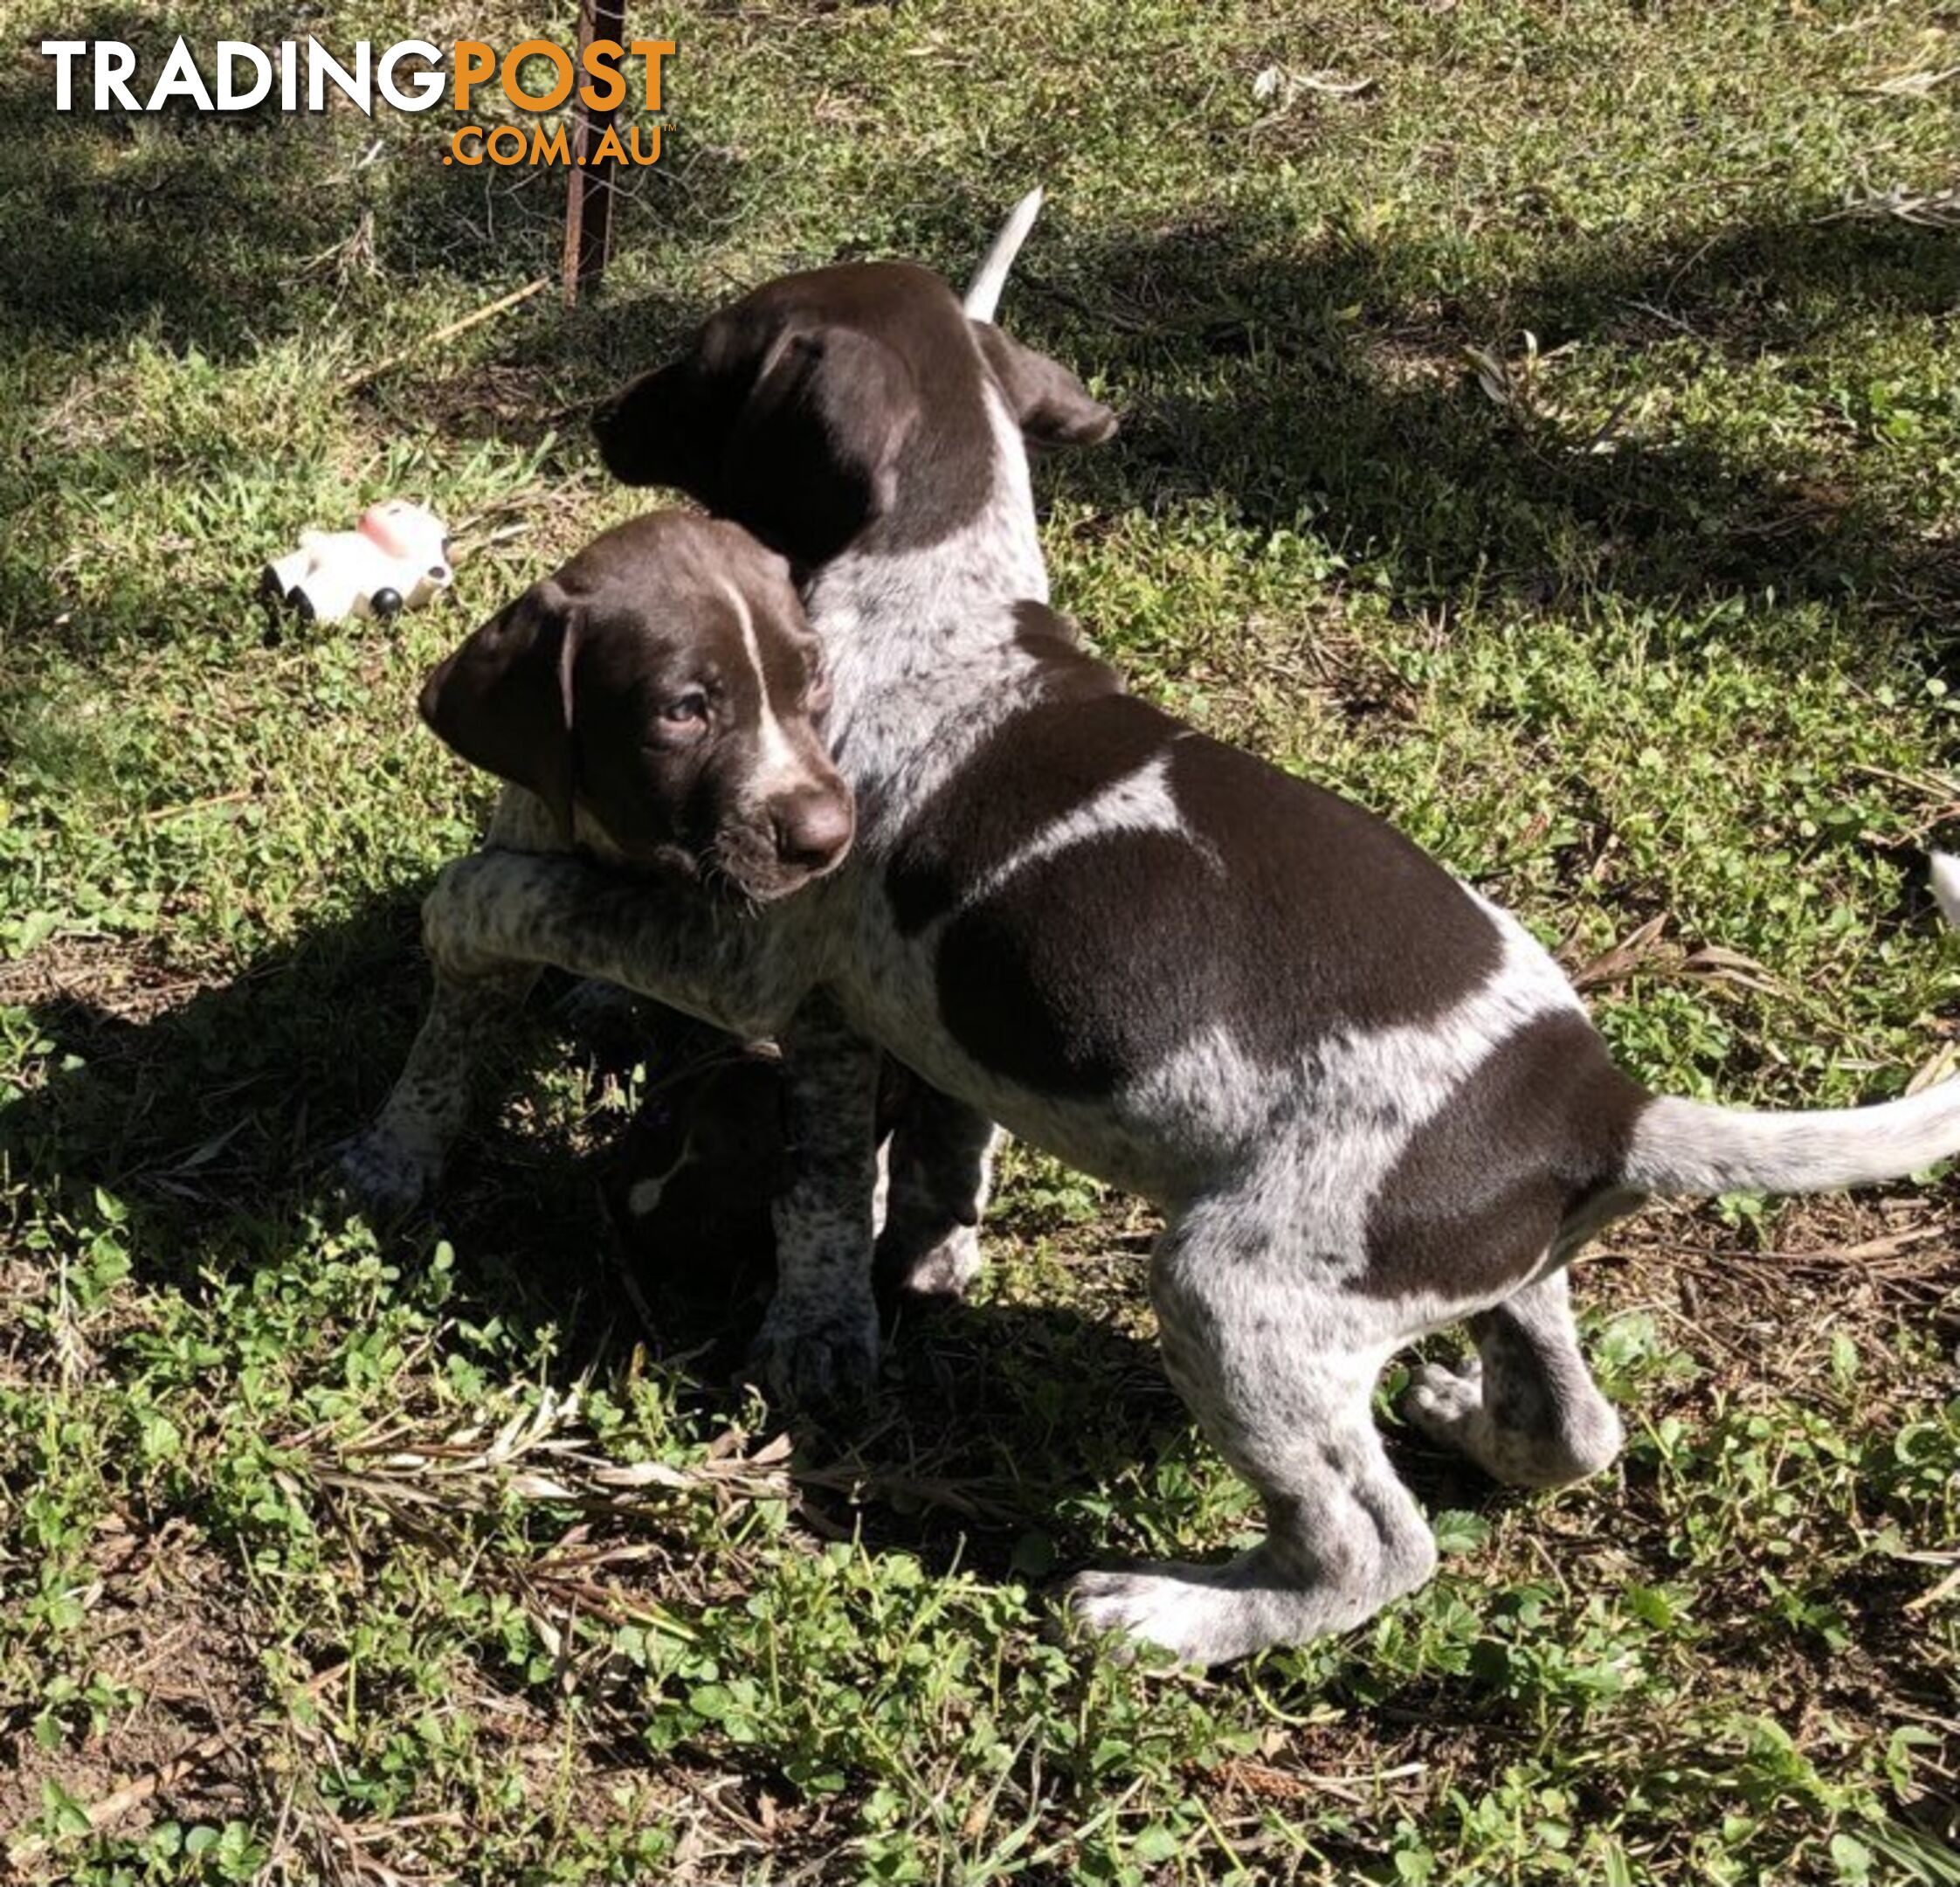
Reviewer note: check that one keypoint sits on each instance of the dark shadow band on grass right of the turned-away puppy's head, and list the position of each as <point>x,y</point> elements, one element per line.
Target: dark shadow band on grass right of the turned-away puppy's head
<point>1330,383</point>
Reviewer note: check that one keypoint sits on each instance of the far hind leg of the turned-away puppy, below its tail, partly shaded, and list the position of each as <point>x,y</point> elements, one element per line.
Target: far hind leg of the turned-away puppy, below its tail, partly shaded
<point>1526,1408</point>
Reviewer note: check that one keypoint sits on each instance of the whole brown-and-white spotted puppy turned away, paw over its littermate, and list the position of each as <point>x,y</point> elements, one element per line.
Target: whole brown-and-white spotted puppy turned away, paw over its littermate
<point>1365,1100</point>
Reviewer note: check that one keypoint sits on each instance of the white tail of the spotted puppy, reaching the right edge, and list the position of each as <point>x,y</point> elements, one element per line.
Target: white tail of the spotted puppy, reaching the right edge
<point>1692,1149</point>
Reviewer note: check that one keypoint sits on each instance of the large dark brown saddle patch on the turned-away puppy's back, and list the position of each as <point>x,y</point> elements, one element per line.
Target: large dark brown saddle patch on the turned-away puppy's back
<point>1281,912</point>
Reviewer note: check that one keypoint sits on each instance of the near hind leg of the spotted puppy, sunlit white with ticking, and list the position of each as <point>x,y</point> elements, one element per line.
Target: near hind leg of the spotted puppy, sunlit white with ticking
<point>1277,1363</point>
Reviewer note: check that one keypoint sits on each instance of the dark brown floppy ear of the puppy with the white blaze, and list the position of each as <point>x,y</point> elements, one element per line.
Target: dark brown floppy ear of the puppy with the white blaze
<point>505,699</point>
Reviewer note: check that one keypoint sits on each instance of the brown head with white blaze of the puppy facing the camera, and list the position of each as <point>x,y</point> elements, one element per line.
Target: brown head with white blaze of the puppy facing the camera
<point>663,699</point>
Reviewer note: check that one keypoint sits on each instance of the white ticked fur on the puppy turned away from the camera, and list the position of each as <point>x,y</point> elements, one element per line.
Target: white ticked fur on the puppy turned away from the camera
<point>1267,1173</point>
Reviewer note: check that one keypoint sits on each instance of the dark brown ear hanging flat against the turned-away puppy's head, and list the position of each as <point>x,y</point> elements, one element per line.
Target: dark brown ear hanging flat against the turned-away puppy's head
<point>812,456</point>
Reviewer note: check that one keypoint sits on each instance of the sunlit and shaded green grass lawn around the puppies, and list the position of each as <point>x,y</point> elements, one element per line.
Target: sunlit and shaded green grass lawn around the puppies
<point>1526,444</point>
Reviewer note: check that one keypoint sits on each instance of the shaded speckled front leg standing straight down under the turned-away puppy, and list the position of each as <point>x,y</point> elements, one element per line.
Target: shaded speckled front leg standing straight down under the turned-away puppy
<point>820,1337</point>
